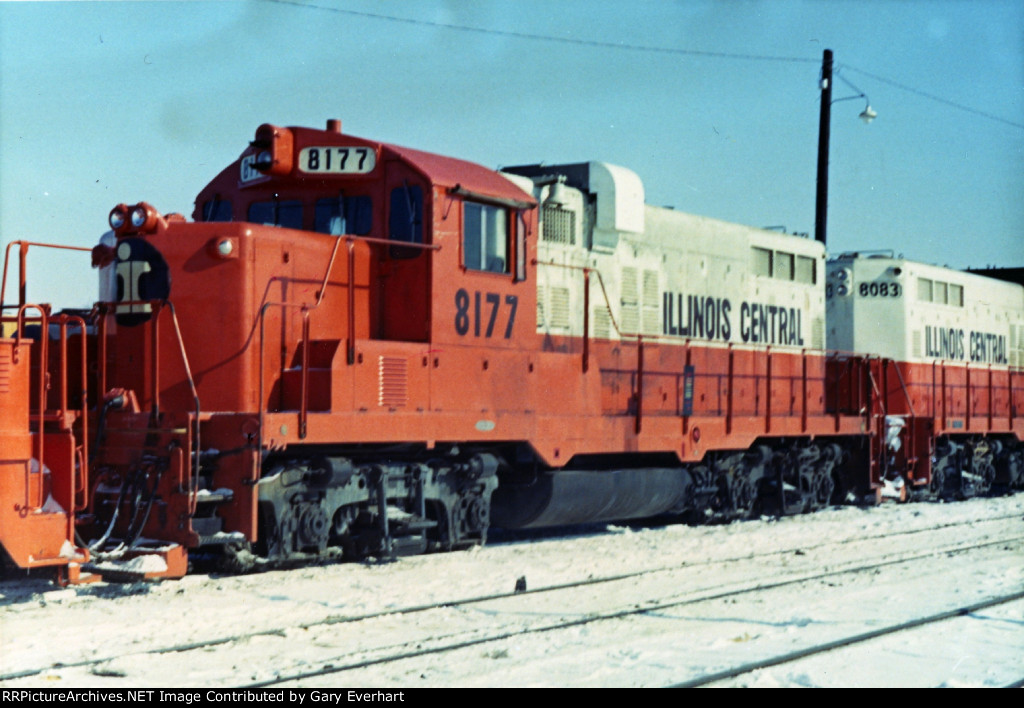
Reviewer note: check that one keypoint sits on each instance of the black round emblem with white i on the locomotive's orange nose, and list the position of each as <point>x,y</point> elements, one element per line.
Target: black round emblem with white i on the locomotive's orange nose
<point>142,275</point>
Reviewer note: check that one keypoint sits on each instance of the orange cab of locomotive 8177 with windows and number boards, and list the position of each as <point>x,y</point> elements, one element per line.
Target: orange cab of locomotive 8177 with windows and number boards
<point>424,218</point>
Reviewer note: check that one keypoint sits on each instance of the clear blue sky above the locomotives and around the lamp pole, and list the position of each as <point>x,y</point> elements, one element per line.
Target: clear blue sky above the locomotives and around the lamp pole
<point>103,103</point>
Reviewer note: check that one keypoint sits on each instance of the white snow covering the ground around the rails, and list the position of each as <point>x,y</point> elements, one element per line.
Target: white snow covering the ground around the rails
<point>44,626</point>
